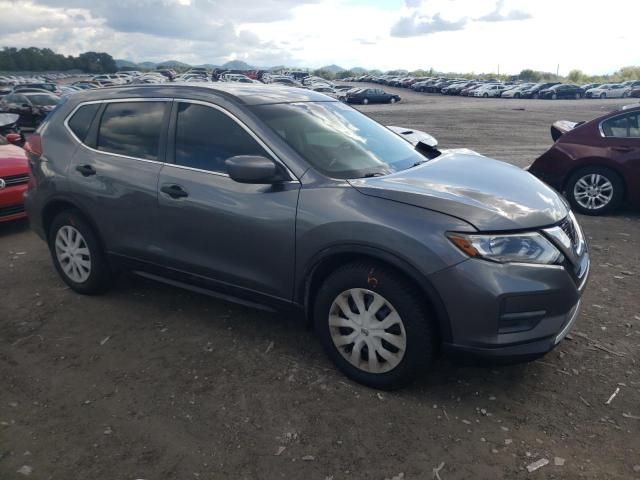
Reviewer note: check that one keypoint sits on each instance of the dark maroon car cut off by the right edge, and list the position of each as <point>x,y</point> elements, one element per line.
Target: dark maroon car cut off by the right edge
<point>597,163</point>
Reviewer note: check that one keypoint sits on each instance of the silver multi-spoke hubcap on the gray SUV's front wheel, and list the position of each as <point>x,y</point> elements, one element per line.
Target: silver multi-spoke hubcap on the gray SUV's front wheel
<point>367,330</point>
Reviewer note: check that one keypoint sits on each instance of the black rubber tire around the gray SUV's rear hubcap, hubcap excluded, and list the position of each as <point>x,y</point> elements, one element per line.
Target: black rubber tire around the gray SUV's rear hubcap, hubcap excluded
<point>100,275</point>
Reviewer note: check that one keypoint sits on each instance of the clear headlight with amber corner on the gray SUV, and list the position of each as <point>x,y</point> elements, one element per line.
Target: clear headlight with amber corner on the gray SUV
<point>509,248</point>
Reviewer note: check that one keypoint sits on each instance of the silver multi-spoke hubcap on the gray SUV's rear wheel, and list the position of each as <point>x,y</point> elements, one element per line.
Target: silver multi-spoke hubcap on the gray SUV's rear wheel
<point>73,254</point>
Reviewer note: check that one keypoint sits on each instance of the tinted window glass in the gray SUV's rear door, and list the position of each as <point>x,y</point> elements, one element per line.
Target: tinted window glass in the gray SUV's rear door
<point>132,129</point>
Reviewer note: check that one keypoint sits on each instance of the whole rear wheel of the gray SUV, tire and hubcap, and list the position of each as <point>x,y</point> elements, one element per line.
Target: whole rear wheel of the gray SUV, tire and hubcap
<point>77,254</point>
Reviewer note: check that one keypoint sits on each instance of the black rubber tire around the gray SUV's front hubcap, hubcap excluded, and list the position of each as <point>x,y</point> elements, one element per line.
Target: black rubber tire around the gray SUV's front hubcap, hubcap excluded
<point>418,326</point>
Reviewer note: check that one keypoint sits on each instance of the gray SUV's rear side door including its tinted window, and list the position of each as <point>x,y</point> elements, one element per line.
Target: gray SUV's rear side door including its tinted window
<point>114,174</point>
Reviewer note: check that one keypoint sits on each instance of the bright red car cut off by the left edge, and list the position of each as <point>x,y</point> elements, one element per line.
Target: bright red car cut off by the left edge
<point>14,176</point>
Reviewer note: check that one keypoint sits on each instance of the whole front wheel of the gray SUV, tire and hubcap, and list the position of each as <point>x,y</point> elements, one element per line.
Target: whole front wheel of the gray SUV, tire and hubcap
<point>373,325</point>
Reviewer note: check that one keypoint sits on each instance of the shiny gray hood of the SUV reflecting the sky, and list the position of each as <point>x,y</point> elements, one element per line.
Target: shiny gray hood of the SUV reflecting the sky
<point>489,194</point>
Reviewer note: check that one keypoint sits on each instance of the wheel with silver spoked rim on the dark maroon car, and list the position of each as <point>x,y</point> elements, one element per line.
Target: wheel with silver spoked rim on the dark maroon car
<point>595,190</point>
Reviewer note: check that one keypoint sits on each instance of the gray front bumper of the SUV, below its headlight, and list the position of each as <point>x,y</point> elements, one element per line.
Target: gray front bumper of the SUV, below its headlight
<point>511,312</point>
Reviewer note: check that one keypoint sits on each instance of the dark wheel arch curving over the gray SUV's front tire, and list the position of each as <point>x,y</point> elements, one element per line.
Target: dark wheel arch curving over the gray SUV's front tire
<point>324,263</point>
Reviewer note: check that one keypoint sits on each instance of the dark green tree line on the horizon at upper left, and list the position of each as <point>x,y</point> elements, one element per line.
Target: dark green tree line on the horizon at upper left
<point>34,59</point>
